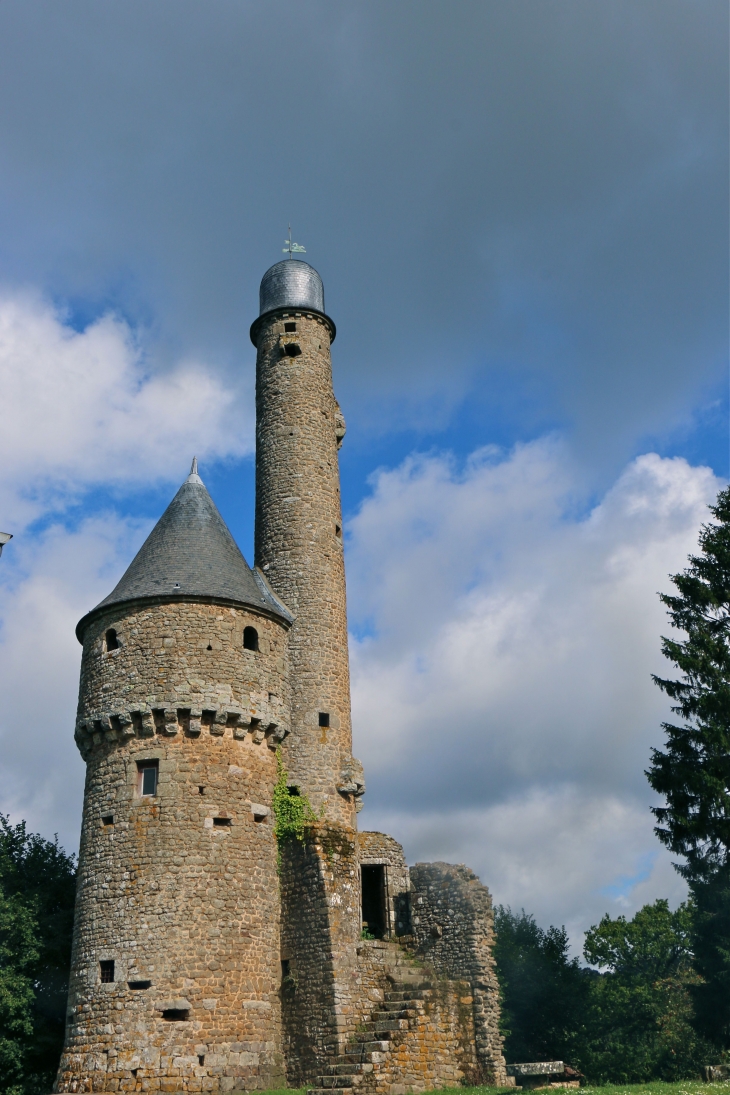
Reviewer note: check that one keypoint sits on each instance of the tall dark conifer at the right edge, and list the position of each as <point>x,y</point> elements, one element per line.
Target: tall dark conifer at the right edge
<point>693,771</point>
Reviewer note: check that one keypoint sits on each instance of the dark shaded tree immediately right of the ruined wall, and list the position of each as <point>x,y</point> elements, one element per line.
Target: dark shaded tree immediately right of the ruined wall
<point>544,992</point>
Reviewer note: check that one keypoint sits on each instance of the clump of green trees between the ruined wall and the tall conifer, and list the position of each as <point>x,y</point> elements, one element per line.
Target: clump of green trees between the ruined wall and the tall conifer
<point>627,1022</point>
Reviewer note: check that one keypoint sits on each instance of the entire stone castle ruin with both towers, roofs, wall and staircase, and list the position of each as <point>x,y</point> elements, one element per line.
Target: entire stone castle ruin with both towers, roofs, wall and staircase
<point>205,958</point>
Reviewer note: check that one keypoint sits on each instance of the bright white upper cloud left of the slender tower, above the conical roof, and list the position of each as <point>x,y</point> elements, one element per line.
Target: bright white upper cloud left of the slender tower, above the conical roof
<point>86,409</point>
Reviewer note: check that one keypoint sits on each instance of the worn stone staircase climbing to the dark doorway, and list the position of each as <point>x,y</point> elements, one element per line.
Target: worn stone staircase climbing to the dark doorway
<point>370,1063</point>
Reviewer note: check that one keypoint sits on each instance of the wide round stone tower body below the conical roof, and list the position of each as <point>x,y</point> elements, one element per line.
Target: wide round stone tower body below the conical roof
<point>180,890</point>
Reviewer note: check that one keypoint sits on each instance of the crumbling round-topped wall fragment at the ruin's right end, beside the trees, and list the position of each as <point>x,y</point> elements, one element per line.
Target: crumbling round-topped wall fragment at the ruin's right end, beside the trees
<point>453,924</point>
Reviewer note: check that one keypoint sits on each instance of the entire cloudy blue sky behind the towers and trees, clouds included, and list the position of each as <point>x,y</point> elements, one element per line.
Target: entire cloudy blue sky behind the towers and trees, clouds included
<point>520,216</point>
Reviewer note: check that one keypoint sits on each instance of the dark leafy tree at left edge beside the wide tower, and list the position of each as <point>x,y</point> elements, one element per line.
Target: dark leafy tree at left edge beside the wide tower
<point>38,892</point>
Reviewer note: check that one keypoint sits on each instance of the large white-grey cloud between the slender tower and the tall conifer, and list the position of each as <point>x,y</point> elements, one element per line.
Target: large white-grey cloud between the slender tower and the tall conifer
<point>503,699</point>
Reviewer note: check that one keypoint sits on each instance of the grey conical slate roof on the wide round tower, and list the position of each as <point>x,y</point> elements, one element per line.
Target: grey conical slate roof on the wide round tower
<point>191,554</point>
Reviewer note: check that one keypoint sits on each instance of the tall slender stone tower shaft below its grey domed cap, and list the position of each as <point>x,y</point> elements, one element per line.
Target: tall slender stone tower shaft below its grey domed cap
<point>299,547</point>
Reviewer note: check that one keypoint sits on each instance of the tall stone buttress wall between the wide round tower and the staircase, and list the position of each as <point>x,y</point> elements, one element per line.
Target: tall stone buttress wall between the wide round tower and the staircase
<point>320,933</point>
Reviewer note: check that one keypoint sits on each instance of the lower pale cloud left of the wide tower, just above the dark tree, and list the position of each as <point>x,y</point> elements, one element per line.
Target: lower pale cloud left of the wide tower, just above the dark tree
<point>67,573</point>
